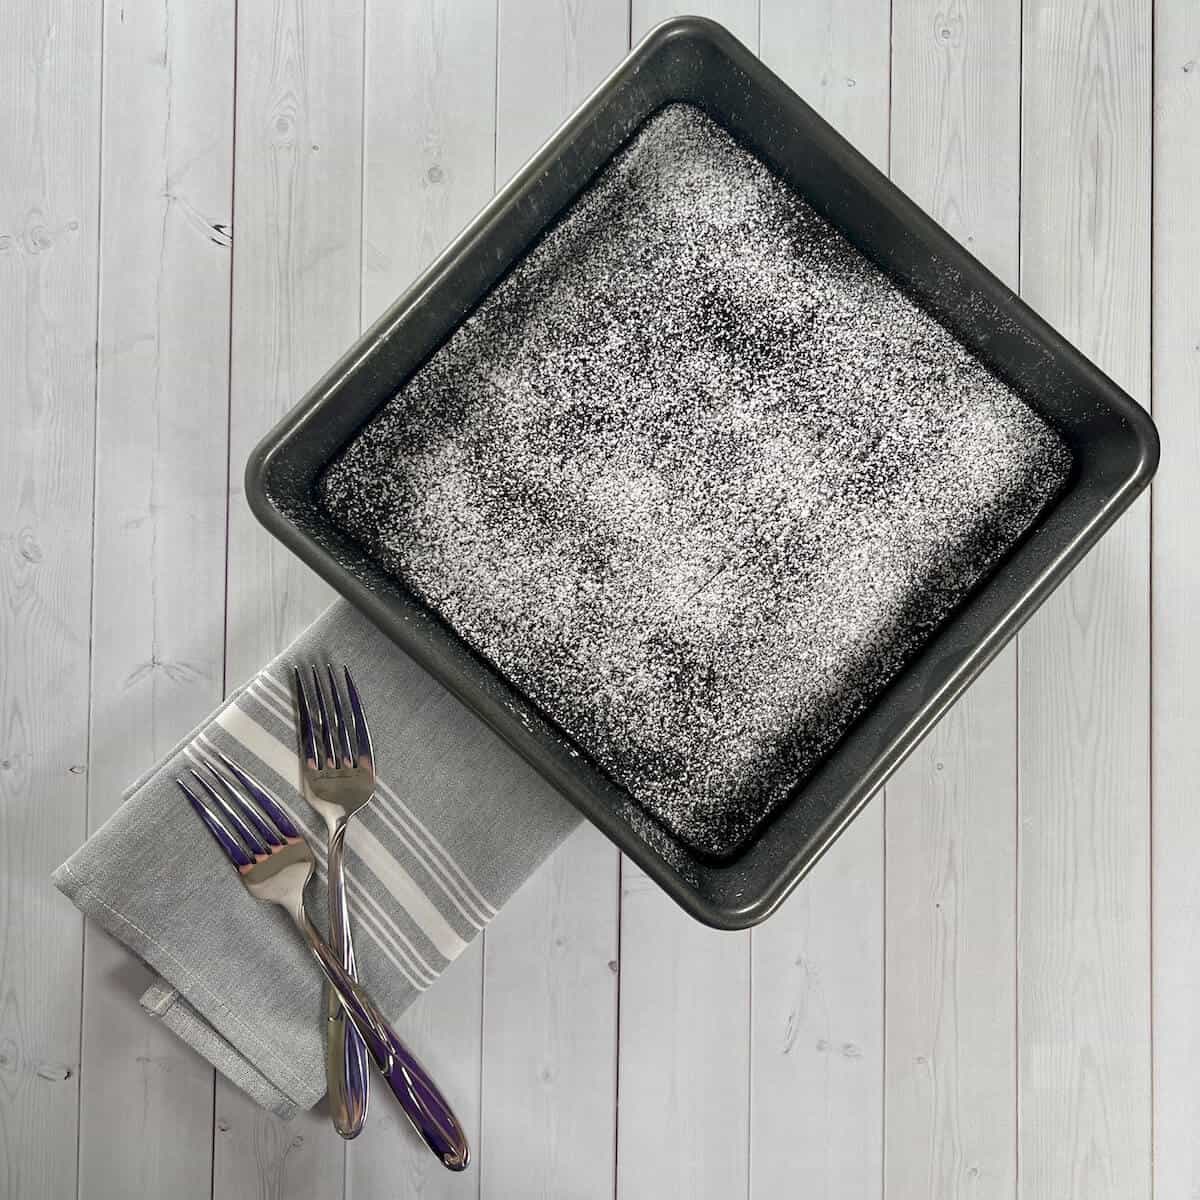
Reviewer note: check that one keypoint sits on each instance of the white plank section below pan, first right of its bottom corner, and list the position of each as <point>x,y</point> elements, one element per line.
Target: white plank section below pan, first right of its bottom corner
<point>817,1091</point>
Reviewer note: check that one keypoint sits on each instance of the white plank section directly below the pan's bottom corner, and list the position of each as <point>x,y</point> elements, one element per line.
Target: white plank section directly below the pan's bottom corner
<point>683,1082</point>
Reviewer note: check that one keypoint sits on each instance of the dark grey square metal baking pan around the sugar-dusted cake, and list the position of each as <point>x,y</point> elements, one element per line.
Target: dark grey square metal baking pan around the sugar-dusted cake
<point>1113,441</point>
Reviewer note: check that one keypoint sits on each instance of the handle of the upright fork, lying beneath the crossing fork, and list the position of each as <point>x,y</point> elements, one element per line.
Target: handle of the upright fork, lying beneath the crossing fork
<point>346,1055</point>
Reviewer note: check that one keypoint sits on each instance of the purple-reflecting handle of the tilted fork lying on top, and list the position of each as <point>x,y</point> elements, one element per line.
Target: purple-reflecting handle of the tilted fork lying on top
<point>418,1095</point>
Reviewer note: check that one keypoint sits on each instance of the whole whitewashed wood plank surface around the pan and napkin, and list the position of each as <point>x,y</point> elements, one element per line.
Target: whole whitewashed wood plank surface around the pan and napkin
<point>991,989</point>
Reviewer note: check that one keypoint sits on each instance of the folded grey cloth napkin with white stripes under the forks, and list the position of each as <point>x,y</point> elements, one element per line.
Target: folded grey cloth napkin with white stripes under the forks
<point>458,824</point>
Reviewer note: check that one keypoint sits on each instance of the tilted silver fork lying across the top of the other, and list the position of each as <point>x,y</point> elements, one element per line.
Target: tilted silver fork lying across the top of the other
<point>275,863</point>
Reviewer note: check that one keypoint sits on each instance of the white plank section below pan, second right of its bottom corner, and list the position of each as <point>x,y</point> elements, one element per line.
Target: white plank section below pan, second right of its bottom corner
<point>951,1077</point>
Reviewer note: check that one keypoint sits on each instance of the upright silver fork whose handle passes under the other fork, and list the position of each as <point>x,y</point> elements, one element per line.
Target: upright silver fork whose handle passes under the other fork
<point>339,781</point>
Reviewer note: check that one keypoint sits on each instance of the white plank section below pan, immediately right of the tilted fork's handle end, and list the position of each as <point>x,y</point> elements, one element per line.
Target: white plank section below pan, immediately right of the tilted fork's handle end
<point>550,1030</point>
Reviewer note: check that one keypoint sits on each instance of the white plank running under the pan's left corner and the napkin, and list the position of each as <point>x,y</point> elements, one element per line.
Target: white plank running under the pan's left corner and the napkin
<point>298,179</point>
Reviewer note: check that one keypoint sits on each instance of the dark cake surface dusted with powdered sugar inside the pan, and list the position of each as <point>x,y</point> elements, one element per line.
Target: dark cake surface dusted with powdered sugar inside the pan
<point>698,479</point>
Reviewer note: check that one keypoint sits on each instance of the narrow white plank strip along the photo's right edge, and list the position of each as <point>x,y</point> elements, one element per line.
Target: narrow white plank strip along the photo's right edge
<point>1177,563</point>
